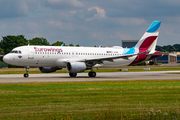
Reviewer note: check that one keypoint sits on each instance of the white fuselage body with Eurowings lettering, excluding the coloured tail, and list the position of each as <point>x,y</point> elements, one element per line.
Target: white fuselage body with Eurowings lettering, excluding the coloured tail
<point>58,56</point>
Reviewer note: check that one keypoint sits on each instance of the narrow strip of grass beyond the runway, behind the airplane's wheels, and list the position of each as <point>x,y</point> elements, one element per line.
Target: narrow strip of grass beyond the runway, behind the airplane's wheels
<point>130,69</point>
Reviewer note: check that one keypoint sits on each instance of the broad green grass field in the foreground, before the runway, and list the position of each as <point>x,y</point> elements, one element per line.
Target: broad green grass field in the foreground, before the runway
<point>128,100</point>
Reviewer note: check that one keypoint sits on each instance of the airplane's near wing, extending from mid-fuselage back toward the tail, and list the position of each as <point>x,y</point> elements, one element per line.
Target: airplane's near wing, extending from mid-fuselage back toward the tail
<point>110,58</point>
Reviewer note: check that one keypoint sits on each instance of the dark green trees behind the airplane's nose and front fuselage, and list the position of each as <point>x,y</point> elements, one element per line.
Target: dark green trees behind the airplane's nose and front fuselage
<point>9,42</point>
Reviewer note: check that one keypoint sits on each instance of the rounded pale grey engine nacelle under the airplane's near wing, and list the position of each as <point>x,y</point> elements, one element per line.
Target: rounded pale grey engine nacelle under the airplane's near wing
<point>76,67</point>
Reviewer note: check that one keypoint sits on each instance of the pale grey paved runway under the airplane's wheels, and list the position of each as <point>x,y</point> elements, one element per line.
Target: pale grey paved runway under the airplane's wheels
<point>83,77</point>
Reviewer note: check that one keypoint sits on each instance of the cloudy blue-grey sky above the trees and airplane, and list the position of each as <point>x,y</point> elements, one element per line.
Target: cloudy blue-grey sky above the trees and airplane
<point>90,22</point>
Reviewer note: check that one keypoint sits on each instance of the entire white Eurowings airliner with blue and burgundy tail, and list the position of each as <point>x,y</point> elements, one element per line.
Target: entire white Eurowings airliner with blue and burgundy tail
<point>78,59</point>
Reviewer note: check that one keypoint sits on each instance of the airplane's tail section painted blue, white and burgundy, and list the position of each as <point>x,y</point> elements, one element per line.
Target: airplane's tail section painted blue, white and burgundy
<point>147,43</point>
